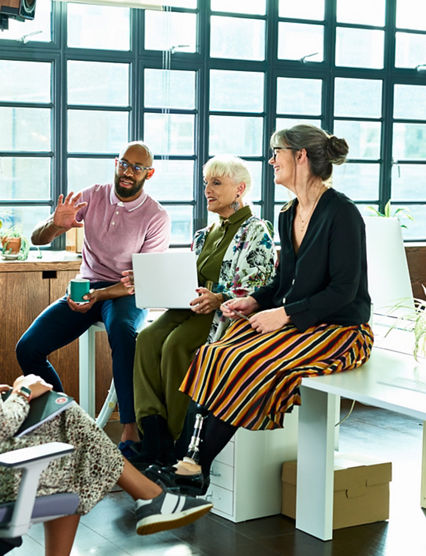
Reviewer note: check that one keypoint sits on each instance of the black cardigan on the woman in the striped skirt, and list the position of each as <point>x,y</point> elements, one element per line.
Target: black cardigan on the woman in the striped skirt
<point>326,281</point>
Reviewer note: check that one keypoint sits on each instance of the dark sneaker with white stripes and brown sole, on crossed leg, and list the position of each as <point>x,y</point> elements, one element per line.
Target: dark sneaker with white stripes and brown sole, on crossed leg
<point>168,511</point>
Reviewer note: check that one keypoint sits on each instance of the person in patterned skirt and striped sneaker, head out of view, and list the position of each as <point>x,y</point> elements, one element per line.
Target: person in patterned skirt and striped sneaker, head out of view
<point>90,471</point>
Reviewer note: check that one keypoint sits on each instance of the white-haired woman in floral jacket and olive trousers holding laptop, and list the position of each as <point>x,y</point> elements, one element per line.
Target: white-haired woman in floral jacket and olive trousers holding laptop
<point>235,256</point>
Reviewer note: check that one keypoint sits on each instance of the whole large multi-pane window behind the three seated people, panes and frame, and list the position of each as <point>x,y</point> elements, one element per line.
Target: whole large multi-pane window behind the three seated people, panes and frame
<point>206,77</point>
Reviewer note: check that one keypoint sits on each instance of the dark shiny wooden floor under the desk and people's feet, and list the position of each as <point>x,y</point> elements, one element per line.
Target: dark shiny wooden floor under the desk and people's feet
<point>109,528</point>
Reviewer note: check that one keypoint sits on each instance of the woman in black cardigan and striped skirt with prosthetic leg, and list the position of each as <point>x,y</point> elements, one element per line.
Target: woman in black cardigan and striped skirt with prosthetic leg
<point>311,320</point>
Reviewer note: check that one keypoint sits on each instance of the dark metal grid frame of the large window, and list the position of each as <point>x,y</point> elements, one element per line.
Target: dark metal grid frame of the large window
<point>58,54</point>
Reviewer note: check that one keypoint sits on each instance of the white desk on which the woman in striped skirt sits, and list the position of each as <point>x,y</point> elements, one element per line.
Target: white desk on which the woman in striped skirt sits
<point>389,380</point>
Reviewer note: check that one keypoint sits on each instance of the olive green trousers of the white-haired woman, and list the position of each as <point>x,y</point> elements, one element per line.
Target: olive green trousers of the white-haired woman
<point>164,351</point>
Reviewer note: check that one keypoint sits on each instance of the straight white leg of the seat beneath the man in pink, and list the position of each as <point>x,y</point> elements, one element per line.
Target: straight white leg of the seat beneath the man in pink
<point>87,371</point>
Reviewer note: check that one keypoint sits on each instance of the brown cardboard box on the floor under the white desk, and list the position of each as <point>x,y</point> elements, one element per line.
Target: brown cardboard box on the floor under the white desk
<point>361,490</point>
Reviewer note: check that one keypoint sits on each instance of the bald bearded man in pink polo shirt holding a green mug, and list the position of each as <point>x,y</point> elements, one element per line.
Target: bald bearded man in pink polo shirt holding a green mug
<point>119,219</point>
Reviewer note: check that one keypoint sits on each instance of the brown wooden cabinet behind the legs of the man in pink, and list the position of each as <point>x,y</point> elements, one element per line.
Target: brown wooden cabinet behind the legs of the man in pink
<point>27,288</point>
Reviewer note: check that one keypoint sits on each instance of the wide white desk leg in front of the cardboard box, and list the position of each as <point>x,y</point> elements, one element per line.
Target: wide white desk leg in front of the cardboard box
<point>315,464</point>
